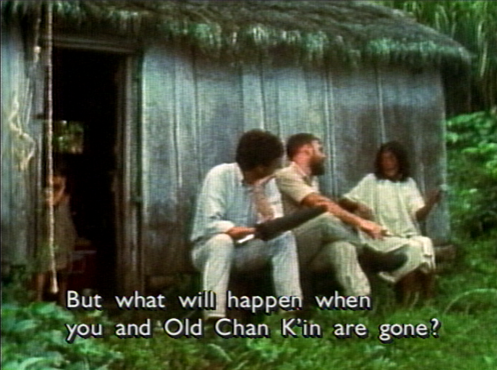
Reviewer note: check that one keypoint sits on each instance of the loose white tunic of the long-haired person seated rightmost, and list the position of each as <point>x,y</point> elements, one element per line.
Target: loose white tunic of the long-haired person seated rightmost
<point>394,206</point>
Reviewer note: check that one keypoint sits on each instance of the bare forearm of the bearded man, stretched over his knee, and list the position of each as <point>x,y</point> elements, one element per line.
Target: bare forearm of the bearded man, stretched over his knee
<point>369,227</point>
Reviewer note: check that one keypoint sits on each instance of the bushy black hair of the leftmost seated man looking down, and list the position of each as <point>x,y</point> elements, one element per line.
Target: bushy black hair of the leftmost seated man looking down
<point>258,148</point>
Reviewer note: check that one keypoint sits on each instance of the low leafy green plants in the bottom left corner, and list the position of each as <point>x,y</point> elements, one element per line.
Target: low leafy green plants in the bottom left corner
<point>33,338</point>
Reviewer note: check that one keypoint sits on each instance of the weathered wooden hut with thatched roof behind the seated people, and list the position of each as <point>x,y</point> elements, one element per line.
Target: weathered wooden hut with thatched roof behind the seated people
<point>162,90</point>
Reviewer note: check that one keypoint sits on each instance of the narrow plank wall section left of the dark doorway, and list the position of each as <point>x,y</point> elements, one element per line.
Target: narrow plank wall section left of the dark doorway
<point>20,142</point>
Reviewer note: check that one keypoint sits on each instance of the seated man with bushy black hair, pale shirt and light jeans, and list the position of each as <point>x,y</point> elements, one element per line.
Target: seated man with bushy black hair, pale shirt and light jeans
<point>234,198</point>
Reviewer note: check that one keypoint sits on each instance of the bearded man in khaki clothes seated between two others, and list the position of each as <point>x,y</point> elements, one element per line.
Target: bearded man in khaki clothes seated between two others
<point>324,243</point>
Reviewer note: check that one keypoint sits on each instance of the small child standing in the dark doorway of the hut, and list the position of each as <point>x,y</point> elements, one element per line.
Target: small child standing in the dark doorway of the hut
<point>64,240</point>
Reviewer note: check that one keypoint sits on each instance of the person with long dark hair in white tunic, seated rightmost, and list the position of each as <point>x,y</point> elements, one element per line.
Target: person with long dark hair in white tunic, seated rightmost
<point>390,197</point>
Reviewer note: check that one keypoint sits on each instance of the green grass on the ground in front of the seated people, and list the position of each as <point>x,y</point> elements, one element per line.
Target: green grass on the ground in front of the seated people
<point>465,308</point>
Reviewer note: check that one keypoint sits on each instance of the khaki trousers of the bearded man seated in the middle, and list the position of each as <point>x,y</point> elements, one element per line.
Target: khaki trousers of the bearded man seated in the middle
<point>326,244</point>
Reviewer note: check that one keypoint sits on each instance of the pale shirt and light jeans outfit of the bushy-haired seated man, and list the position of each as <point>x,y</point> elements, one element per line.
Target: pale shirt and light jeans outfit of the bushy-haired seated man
<point>226,201</point>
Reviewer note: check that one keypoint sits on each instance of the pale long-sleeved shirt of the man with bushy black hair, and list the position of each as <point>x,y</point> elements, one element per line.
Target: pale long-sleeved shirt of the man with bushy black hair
<point>226,201</point>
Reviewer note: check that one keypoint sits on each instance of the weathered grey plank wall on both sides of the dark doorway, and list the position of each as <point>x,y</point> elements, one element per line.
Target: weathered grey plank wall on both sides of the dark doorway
<point>192,114</point>
